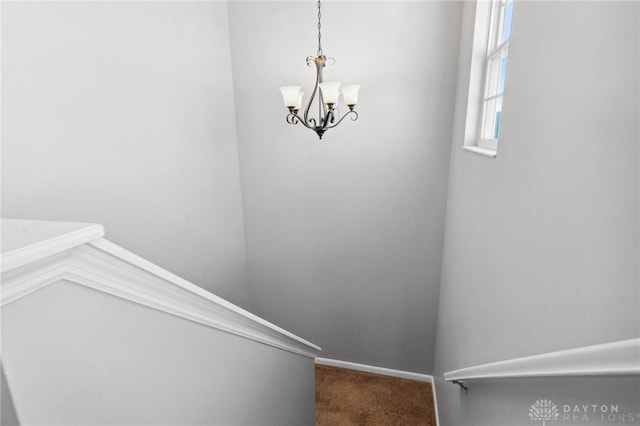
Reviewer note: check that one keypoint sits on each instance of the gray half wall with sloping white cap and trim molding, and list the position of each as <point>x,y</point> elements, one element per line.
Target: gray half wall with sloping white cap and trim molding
<point>94,334</point>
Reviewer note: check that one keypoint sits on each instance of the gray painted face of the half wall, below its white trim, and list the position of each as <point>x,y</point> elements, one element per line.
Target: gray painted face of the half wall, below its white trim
<point>107,361</point>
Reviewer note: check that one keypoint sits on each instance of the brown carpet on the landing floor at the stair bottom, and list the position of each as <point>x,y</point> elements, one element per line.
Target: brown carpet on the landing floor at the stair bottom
<point>349,397</point>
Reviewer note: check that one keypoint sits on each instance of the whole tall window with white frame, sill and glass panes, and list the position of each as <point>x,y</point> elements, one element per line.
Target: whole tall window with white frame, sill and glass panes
<point>488,71</point>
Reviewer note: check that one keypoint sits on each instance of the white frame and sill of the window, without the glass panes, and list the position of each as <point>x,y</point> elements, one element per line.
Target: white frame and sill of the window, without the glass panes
<point>488,27</point>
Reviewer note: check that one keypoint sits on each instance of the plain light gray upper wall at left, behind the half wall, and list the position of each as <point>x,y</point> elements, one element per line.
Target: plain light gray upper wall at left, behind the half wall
<point>122,114</point>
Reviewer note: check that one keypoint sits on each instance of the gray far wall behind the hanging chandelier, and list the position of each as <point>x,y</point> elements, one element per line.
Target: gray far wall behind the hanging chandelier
<point>344,236</point>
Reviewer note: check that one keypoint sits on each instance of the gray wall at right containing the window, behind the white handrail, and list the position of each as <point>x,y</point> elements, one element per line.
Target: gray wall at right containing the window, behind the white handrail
<point>541,244</point>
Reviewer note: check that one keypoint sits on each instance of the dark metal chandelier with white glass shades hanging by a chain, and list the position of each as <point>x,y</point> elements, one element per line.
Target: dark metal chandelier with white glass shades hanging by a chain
<point>327,94</point>
